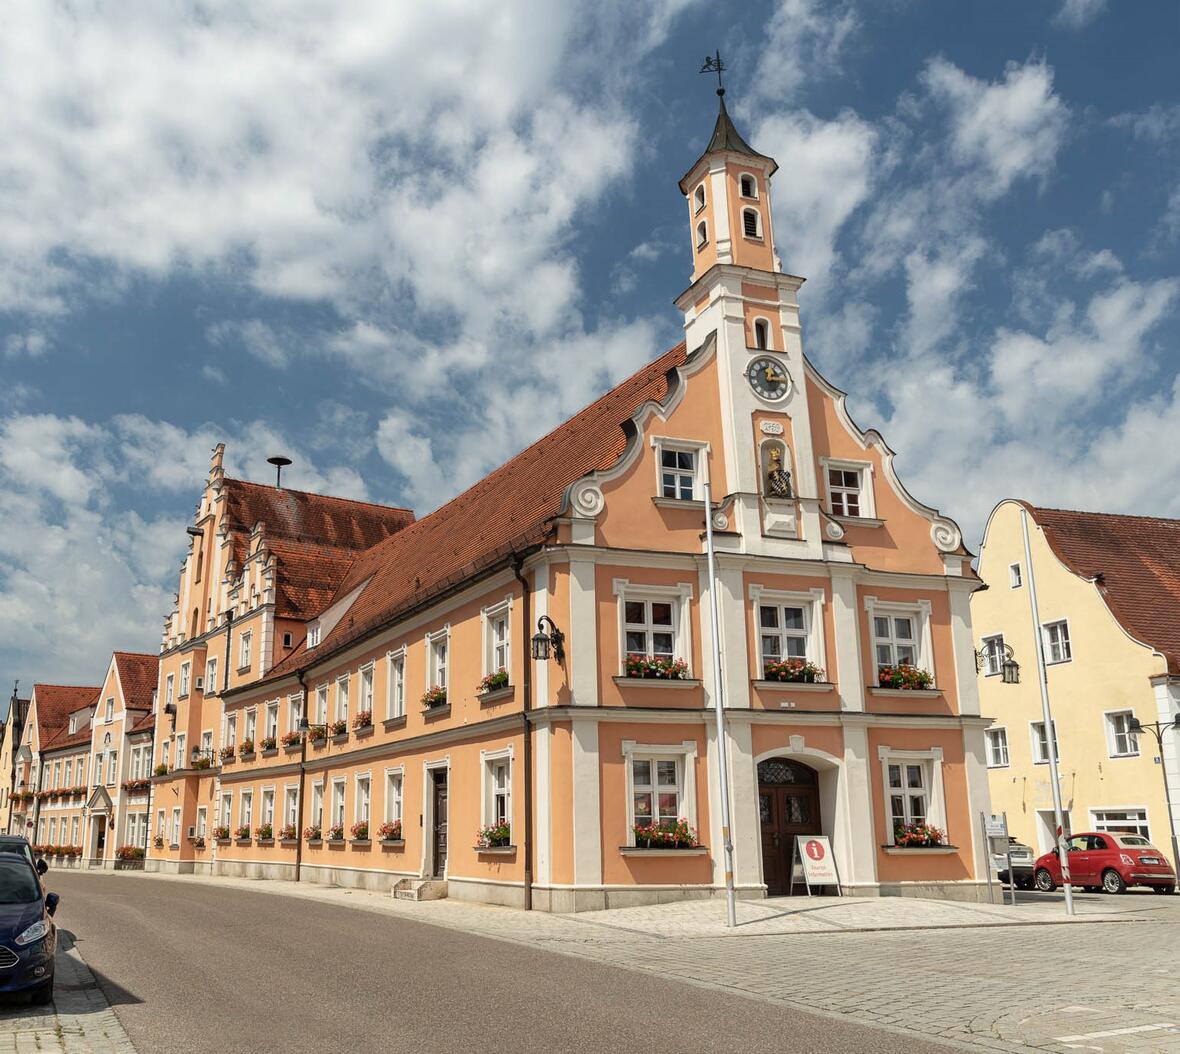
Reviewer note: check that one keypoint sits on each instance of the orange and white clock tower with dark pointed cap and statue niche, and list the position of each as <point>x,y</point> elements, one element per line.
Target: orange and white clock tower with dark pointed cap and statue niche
<point>740,293</point>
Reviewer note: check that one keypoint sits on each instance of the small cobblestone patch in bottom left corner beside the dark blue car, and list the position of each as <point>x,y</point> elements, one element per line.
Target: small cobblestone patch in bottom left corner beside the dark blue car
<point>78,1023</point>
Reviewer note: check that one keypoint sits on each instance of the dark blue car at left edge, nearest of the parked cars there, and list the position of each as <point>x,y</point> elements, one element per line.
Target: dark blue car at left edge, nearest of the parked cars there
<point>29,939</point>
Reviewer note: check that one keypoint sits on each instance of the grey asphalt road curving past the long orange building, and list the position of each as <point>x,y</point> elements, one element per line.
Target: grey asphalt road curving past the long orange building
<point>207,968</point>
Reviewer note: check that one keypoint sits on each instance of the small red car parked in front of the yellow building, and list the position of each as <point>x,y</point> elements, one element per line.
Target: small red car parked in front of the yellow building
<point>1109,862</point>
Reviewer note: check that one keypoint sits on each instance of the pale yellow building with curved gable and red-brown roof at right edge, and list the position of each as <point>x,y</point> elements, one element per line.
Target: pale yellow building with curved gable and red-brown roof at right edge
<point>1110,614</point>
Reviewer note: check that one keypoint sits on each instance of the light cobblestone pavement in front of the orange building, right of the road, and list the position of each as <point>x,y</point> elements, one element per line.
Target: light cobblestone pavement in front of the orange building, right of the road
<point>979,977</point>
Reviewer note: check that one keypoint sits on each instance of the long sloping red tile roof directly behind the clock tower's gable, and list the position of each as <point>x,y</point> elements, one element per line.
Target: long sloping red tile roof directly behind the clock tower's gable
<point>507,512</point>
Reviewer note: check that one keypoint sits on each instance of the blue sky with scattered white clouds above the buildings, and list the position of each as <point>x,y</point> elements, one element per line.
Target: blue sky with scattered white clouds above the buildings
<point>399,243</point>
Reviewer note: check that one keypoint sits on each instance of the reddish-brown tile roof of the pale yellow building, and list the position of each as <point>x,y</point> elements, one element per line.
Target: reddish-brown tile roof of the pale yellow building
<point>1136,561</point>
